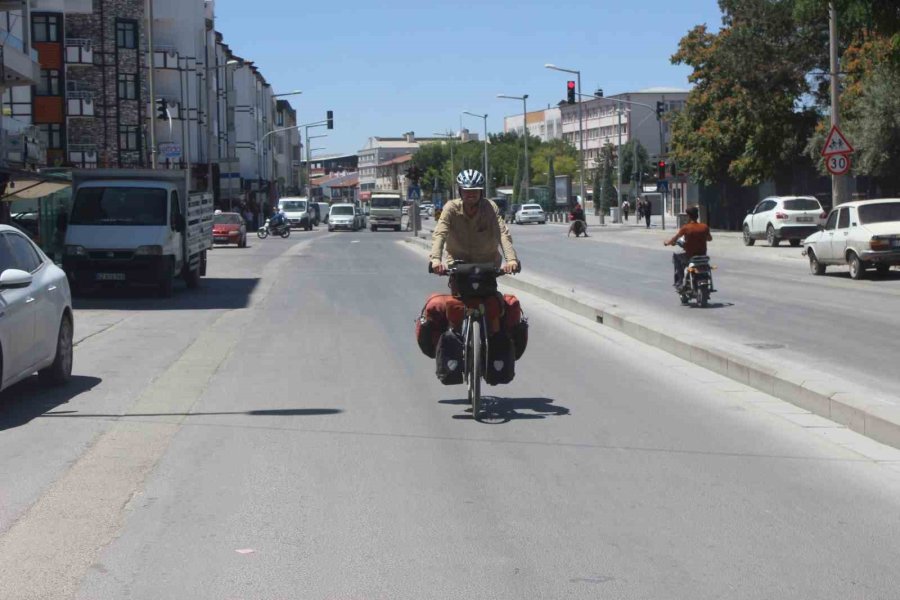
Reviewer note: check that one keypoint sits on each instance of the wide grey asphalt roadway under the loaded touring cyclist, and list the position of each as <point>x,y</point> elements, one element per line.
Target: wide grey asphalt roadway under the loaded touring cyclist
<point>277,434</point>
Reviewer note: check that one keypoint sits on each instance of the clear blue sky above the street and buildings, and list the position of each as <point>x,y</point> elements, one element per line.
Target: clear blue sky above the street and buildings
<point>386,67</point>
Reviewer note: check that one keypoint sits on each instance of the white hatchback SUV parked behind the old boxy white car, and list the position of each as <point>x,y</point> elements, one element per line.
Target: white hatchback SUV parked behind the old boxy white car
<point>777,218</point>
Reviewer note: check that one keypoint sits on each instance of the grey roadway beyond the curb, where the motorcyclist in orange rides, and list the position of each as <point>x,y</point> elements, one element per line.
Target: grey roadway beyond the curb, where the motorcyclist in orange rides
<point>767,299</point>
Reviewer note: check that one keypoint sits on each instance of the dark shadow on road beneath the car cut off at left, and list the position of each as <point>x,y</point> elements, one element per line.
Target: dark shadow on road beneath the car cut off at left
<point>31,399</point>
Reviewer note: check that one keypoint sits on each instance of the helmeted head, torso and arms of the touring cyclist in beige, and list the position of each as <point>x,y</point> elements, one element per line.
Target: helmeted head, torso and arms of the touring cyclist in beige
<point>471,229</point>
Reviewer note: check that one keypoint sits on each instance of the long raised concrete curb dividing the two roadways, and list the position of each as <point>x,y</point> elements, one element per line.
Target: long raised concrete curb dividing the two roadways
<point>839,400</point>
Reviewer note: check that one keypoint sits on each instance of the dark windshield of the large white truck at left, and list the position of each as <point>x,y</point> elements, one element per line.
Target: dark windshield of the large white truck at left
<point>119,206</point>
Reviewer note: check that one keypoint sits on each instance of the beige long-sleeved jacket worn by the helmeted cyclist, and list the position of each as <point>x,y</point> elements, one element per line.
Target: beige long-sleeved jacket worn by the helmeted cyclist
<point>471,239</point>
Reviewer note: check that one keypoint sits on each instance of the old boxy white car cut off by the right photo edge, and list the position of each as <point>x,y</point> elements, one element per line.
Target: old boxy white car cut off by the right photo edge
<point>861,235</point>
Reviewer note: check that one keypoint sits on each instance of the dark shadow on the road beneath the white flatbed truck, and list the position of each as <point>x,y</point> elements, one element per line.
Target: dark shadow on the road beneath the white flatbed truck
<point>213,293</point>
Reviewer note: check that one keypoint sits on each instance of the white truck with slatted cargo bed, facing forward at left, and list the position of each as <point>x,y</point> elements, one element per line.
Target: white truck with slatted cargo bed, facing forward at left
<point>136,227</point>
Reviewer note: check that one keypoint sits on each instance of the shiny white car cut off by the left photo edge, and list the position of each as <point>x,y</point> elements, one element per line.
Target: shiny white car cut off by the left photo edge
<point>36,322</point>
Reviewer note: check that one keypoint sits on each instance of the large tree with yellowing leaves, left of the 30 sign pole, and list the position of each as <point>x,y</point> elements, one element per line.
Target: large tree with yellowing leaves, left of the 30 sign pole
<point>742,119</point>
